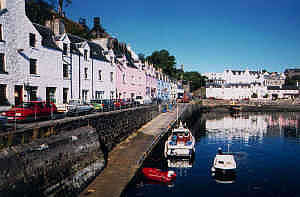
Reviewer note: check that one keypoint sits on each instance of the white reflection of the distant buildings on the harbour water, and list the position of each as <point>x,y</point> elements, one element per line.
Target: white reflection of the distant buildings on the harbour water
<point>251,128</point>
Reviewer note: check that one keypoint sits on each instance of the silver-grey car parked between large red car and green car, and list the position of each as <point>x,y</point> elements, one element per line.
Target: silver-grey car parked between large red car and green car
<point>77,107</point>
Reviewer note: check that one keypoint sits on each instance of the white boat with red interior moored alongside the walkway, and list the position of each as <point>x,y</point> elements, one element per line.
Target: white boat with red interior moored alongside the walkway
<point>181,143</point>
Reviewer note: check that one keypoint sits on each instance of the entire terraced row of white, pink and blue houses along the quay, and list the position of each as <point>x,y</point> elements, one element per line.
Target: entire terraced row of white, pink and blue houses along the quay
<point>47,62</point>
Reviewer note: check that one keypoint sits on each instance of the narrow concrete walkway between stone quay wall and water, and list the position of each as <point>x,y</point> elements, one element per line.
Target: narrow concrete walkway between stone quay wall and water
<point>122,161</point>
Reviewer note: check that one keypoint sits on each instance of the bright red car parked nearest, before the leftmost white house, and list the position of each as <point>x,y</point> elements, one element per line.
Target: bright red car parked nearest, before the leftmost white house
<point>32,110</point>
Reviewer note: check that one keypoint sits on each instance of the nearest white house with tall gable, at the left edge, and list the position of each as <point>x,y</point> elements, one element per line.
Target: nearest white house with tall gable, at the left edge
<point>30,63</point>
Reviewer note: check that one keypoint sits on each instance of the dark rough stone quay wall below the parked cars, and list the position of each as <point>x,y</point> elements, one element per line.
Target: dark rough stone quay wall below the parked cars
<point>60,157</point>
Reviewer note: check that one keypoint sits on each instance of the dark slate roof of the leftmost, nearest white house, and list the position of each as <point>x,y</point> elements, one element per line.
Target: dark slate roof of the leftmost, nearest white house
<point>47,37</point>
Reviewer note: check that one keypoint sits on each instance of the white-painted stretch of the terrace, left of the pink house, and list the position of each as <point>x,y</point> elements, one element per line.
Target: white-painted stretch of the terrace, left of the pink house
<point>45,62</point>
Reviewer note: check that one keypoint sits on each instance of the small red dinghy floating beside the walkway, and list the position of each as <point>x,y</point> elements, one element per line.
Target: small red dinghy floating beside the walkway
<point>158,175</point>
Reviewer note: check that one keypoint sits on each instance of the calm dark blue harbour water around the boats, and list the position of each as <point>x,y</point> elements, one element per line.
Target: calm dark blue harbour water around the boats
<point>267,152</point>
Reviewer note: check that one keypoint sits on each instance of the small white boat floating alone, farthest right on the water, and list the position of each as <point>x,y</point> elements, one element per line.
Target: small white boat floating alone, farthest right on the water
<point>224,162</point>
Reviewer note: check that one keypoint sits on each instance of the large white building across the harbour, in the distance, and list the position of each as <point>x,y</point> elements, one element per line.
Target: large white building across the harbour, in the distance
<point>236,84</point>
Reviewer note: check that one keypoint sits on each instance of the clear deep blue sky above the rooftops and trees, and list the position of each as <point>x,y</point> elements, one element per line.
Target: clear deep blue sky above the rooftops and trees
<point>204,35</point>
